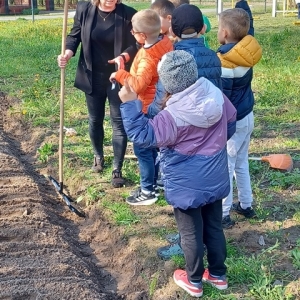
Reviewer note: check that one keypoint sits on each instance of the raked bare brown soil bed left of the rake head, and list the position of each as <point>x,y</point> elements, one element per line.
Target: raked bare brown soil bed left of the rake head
<point>41,255</point>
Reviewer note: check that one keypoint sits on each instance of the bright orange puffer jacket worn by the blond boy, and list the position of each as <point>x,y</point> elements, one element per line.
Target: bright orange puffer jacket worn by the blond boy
<point>143,74</point>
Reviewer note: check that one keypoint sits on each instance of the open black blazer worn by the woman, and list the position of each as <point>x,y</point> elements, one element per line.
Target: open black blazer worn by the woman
<point>81,33</point>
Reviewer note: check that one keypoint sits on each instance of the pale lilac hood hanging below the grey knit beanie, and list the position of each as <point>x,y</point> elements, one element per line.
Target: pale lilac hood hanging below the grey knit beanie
<point>200,105</point>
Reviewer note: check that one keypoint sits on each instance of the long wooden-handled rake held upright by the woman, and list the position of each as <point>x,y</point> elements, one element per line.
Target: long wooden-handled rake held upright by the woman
<point>59,185</point>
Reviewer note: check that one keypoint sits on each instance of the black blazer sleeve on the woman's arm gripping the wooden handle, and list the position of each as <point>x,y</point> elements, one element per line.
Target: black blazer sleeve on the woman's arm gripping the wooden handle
<point>74,37</point>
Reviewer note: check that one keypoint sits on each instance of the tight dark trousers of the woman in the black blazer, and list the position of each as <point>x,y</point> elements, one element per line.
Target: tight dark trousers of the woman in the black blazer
<point>96,109</point>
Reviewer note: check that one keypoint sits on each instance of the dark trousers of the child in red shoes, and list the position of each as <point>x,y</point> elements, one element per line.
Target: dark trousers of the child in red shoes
<point>202,225</point>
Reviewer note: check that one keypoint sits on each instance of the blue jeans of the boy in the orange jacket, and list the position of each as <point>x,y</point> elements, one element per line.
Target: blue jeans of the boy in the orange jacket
<point>148,169</point>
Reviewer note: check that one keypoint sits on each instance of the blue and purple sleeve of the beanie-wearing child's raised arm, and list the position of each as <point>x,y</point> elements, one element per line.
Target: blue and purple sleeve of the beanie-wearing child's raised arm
<point>144,132</point>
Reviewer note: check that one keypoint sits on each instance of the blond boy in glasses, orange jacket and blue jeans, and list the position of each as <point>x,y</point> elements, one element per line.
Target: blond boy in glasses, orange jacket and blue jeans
<point>143,78</point>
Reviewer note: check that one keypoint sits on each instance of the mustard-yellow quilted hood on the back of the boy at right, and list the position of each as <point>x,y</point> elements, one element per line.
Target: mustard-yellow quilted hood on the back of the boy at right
<point>245,53</point>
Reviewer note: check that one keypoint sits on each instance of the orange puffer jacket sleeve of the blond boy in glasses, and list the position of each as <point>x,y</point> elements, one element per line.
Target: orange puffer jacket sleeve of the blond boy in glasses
<point>143,77</point>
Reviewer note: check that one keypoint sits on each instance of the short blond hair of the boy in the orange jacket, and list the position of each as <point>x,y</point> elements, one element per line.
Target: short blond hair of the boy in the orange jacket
<point>147,21</point>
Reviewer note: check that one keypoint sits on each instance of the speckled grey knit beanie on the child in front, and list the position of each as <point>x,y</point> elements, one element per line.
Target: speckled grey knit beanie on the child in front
<point>177,70</point>
